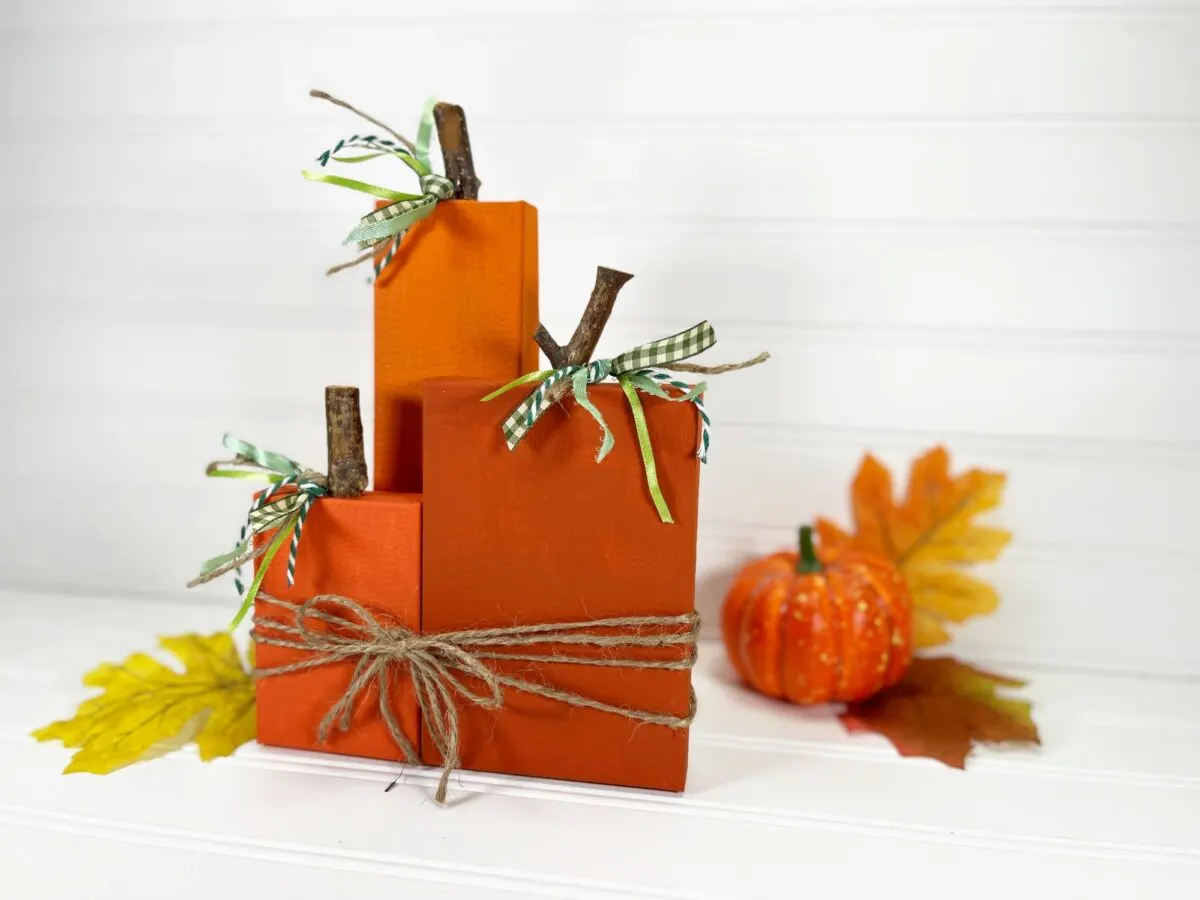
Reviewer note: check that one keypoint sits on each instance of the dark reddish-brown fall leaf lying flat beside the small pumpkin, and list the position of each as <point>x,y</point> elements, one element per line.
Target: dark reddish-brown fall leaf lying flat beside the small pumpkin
<point>941,710</point>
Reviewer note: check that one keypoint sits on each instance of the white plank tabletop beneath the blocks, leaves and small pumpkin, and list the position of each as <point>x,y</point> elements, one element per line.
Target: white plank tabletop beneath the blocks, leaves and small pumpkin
<point>781,801</point>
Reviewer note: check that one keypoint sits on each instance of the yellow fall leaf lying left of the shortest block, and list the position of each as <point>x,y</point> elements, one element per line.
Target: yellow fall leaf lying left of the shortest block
<point>148,710</point>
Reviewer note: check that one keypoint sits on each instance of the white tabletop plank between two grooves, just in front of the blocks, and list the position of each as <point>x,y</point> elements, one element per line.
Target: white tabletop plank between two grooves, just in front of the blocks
<point>349,820</point>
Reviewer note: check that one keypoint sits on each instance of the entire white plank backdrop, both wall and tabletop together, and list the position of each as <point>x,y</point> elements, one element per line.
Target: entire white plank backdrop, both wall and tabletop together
<point>974,221</point>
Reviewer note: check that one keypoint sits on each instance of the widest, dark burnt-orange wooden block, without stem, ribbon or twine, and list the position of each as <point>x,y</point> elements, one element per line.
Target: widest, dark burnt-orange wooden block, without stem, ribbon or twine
<point>545,535</point>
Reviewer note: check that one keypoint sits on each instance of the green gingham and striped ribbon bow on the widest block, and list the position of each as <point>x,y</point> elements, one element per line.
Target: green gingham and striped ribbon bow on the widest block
<point>635,373</point>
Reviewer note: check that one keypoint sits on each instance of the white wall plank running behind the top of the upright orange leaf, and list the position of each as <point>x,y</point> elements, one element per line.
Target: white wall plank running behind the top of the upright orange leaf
<point>1119,501</point>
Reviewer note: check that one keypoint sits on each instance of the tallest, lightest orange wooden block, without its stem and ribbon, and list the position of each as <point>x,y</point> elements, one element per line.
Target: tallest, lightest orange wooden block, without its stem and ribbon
<point>459,299</point>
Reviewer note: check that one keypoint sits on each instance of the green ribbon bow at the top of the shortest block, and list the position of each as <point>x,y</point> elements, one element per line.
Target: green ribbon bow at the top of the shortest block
<point>269,512</point>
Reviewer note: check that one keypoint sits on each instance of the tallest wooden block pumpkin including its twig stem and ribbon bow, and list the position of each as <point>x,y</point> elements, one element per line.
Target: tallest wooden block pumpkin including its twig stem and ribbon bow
<point>457,280</point>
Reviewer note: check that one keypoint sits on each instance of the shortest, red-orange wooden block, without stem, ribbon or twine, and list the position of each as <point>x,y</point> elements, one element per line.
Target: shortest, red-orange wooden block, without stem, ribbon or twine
<point>368,549</point>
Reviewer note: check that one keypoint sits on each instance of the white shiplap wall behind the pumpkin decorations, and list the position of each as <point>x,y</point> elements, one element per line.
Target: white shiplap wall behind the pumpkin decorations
<point>971,221</point>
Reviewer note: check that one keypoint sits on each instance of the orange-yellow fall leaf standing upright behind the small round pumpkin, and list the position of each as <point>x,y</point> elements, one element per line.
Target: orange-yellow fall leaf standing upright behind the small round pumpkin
<point>931,536</point>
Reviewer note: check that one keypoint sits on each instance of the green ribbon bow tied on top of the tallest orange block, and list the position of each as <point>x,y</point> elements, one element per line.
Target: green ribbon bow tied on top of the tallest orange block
<point>389,224</point>
